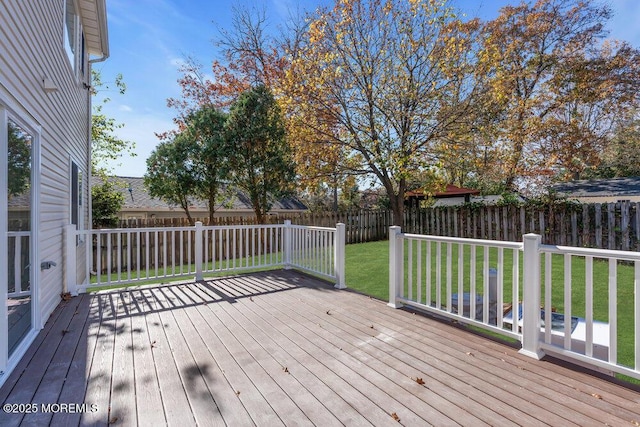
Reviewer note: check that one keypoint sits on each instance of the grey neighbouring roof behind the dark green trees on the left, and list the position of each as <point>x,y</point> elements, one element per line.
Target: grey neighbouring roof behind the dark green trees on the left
<point>139,199</point>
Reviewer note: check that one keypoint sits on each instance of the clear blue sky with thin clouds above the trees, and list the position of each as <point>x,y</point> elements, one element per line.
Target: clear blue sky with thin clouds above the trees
<point>149,39</point>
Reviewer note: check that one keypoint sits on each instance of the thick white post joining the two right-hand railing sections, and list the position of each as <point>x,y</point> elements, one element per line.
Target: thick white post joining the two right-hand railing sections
<point>531,297</point>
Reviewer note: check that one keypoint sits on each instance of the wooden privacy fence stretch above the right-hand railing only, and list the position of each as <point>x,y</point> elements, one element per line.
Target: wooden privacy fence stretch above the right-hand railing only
<point>613,226</point>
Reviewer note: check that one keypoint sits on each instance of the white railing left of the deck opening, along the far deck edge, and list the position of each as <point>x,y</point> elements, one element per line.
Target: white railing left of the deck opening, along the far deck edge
<point>135,255</point>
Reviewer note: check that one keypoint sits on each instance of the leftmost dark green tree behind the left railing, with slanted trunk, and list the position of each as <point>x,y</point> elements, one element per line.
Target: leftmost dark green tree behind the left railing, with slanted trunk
<point>172,175</point>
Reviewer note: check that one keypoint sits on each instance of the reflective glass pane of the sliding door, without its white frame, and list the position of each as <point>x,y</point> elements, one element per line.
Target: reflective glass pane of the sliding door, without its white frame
<point>19,233</point>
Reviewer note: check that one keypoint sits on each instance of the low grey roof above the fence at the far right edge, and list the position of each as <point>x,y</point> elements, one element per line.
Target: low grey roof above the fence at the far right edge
<point>618,187</point>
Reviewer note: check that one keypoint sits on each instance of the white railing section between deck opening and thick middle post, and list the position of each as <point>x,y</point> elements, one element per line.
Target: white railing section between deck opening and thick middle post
<point>443,275</point>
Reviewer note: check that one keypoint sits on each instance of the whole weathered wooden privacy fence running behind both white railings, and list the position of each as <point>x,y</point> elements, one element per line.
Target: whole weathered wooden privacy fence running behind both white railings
<point>604,226</point>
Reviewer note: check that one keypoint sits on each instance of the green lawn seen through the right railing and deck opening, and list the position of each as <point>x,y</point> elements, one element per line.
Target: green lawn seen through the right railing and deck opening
<point>367,271</point>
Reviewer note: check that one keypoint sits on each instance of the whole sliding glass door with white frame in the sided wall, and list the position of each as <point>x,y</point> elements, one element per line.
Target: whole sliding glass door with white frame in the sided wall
<point>18,227</point>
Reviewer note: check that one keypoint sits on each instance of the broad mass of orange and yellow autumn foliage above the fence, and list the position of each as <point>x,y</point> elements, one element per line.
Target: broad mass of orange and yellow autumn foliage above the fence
<point>403,93</point>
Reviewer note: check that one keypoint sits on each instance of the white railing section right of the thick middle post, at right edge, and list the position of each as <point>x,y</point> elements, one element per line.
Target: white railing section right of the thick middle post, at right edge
<point>600,300</point>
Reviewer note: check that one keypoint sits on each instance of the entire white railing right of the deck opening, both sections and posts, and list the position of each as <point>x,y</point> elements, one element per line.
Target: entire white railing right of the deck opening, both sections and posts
<point>486,284</point>
